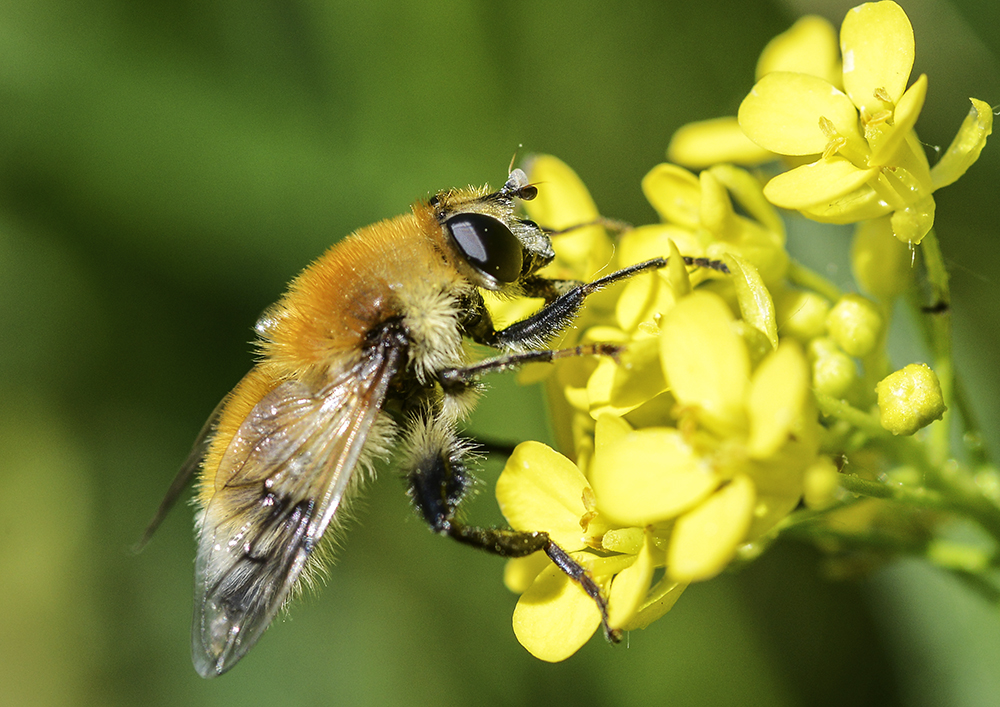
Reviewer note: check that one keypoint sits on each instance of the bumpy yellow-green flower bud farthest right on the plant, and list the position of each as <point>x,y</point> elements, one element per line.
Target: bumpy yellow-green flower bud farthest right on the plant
<point>909,399</point>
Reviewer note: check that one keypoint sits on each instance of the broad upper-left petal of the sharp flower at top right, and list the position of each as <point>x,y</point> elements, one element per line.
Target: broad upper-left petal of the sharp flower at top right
<point>782,114</point>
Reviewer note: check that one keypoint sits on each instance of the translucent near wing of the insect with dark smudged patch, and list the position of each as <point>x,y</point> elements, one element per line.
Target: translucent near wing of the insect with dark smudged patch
<point>278,485</point>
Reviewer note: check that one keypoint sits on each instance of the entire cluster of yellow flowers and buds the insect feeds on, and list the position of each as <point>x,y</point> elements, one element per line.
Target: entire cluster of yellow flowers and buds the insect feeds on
<point>740,396</point>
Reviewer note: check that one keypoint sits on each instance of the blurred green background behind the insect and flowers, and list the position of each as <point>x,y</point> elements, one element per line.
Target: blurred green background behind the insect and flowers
<point>167,166</point>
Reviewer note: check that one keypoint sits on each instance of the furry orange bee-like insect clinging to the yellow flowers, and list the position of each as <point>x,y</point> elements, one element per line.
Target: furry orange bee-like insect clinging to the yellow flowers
<point>365,352</point>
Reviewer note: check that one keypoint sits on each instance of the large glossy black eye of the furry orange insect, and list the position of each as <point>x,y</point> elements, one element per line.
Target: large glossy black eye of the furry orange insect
<point>487,246</point>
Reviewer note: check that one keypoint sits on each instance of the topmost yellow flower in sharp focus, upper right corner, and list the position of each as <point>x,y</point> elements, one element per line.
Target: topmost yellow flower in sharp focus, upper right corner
<point>865,160</point>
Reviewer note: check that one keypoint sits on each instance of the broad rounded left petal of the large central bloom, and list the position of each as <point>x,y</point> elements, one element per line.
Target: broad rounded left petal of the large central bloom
<point>649,475</point>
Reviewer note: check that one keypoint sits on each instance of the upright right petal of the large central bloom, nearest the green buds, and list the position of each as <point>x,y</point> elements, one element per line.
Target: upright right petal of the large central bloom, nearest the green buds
<point>776,398</point>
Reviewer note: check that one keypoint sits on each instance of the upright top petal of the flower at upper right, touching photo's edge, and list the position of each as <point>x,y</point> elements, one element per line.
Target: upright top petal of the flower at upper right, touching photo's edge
<point>876,41</point>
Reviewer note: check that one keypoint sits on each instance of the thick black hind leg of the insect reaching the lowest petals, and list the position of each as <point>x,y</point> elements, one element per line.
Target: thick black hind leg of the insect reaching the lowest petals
<point>439,479</point>
